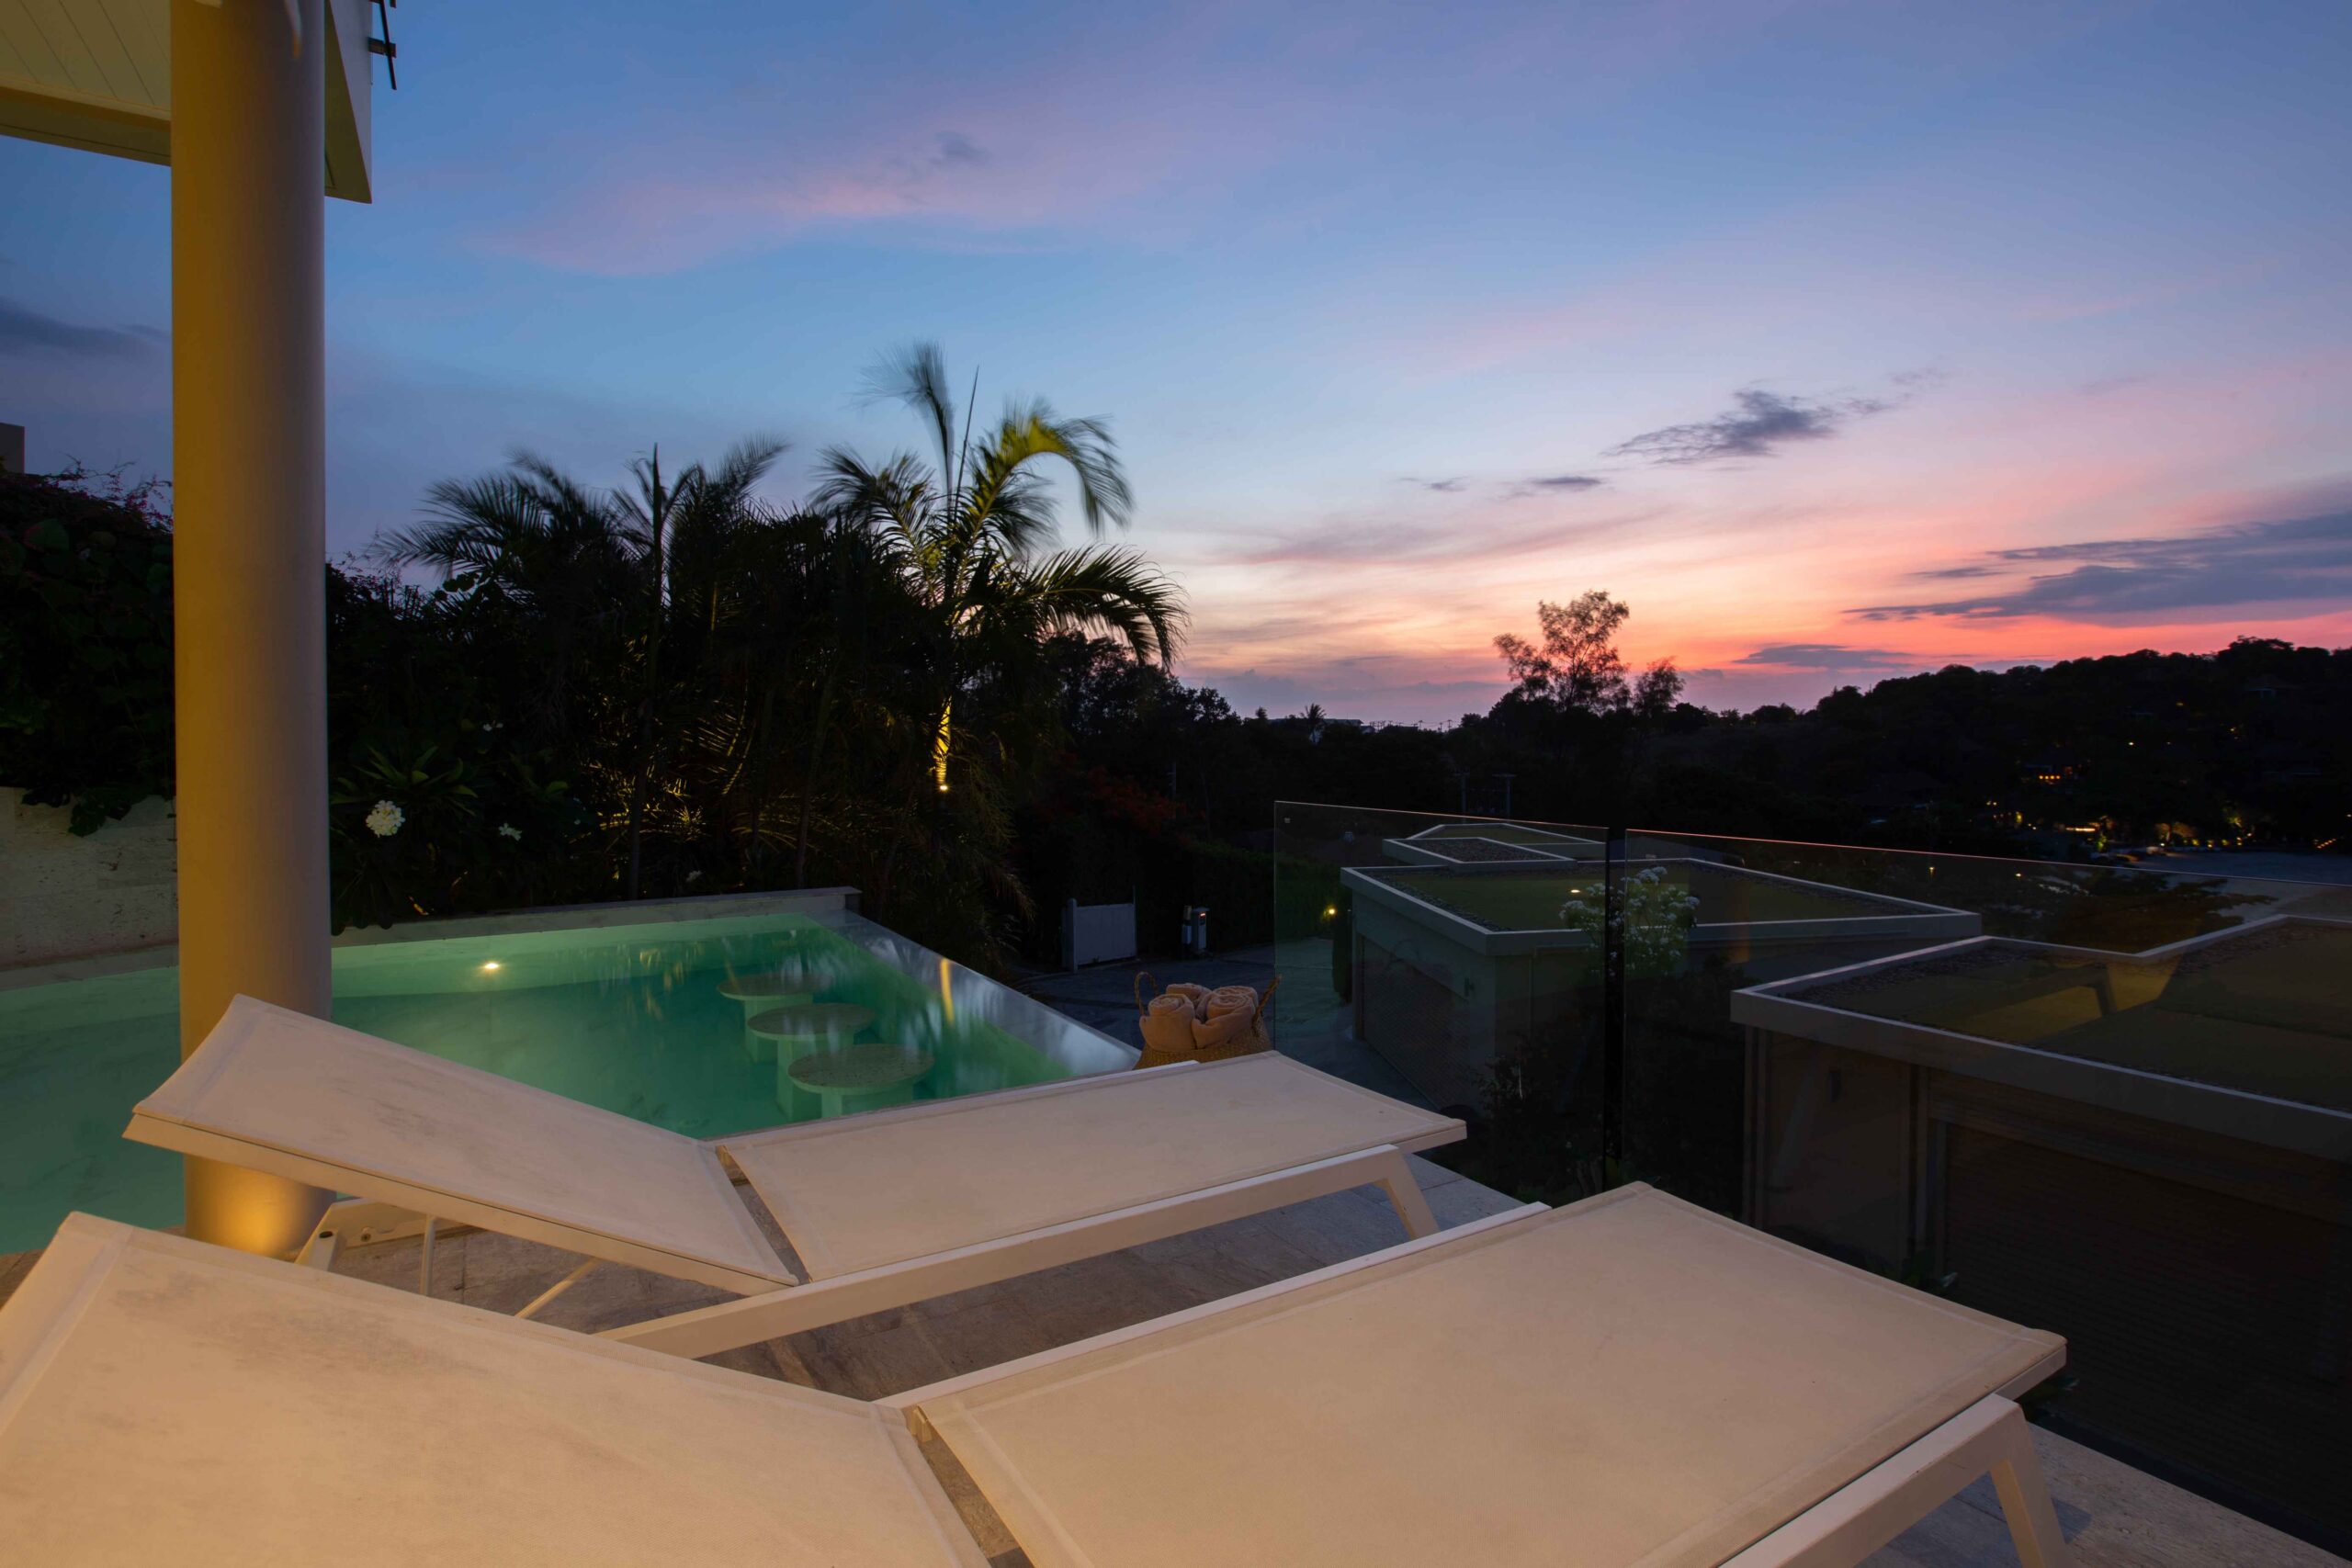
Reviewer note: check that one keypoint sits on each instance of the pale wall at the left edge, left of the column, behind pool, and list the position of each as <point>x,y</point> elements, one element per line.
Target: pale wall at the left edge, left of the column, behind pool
<point>65,897</point>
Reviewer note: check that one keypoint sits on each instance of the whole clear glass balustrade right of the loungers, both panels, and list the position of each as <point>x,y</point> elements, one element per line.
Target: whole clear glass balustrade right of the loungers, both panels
<point>2102,1099</point>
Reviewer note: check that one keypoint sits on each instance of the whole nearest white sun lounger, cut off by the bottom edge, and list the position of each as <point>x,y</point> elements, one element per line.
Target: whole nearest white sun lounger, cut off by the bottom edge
<point>1617,1386</point>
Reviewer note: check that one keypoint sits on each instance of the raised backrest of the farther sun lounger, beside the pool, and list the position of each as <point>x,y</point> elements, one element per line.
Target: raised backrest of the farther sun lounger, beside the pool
<point>298,1097</point>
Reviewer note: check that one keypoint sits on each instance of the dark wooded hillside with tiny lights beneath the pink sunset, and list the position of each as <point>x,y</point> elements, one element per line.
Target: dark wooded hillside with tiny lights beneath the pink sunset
<point>2066,760</point>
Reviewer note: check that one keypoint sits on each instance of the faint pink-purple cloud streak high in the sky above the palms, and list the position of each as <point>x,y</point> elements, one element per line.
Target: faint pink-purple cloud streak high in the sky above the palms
<point>1081,135</point>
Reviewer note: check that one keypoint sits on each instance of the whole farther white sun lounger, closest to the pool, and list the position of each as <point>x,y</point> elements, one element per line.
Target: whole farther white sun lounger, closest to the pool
<point>883,1209</point>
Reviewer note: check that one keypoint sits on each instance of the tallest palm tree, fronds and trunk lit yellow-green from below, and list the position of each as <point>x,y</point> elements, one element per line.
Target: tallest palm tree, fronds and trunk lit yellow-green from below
<point>977,537</point>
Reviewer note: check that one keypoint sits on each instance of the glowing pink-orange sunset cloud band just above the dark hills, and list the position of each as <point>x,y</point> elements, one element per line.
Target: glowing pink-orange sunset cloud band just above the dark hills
<point>1720,565</point>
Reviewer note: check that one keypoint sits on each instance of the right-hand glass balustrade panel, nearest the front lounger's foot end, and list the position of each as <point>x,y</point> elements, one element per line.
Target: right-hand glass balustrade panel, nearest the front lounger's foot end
<point>2097,1099</point>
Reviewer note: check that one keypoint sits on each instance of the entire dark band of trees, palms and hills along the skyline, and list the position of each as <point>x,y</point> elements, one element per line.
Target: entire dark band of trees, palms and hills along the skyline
<point>907,685</point>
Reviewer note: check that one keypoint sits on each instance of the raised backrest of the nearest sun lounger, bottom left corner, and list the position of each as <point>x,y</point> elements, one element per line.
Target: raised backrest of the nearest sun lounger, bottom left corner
<point>173,1402</point>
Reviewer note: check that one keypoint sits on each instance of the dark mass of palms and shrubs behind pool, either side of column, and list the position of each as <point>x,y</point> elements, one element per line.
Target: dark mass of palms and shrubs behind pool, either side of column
<point>667,688</point>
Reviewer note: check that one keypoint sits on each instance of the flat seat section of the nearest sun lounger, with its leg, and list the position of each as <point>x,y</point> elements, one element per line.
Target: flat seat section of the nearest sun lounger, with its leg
<point>1626,1383</point>
